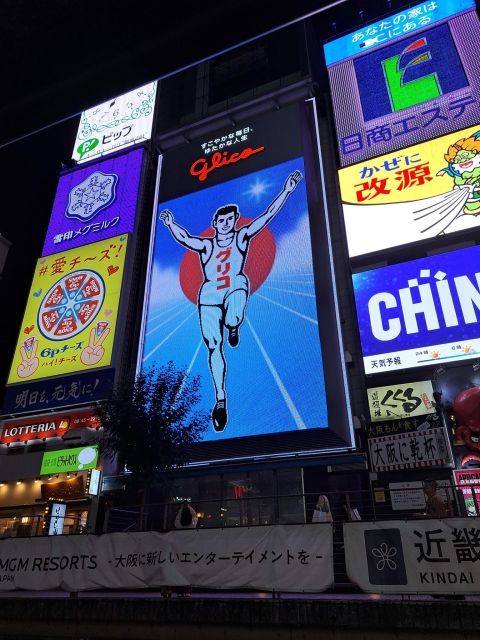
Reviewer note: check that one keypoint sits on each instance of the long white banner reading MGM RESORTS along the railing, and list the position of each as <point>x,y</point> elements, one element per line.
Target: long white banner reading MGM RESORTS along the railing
<point>281,558</point>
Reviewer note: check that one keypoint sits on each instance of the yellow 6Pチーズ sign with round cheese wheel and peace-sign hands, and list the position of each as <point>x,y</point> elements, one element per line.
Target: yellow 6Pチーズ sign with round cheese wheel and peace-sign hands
<point>71,314</point>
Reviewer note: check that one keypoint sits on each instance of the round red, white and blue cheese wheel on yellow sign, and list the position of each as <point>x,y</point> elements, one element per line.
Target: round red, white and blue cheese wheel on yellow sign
<point>71,304</point>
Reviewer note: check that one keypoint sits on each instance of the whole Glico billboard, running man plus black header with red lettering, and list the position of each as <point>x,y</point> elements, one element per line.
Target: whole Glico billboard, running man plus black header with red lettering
<point>232,294</point>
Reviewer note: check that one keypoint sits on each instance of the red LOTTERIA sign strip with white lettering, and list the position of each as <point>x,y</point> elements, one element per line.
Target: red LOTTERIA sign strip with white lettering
<point>46,426</point>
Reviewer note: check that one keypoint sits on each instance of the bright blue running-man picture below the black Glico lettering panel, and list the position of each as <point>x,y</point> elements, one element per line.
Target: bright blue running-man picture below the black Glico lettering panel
<point>260,284</point>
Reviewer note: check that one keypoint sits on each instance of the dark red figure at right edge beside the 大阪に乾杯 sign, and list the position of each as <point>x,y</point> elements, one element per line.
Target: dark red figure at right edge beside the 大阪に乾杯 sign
<point>466,408</point>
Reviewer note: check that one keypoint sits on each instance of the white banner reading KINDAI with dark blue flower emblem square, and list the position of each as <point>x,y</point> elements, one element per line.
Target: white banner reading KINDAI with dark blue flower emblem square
<point>415,556</point>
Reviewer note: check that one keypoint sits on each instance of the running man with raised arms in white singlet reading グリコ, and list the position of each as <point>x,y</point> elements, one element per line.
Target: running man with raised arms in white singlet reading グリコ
<point>223,296</point>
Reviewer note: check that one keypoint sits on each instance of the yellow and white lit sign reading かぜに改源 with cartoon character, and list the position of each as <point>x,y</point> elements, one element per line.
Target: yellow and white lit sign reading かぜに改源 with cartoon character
<point>425,191</point>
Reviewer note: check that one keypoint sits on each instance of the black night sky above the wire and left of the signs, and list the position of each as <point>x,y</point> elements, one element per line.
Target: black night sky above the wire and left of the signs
<point>62,56</point>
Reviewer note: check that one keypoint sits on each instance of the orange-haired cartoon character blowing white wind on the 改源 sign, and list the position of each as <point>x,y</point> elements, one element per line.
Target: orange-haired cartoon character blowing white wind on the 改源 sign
<point>463,200</point>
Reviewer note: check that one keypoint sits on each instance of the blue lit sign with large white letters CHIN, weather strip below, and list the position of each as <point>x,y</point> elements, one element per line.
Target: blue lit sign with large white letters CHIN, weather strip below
<point>420,312</point>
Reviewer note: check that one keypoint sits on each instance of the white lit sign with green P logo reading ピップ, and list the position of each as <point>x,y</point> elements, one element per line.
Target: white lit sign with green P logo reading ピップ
<point>116,124</point>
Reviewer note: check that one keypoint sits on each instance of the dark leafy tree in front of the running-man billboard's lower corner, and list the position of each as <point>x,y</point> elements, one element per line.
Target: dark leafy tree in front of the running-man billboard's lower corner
<point>151,423</point>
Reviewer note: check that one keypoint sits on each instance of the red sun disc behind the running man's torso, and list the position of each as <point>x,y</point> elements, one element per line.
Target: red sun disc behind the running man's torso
<point>259,263</point>
